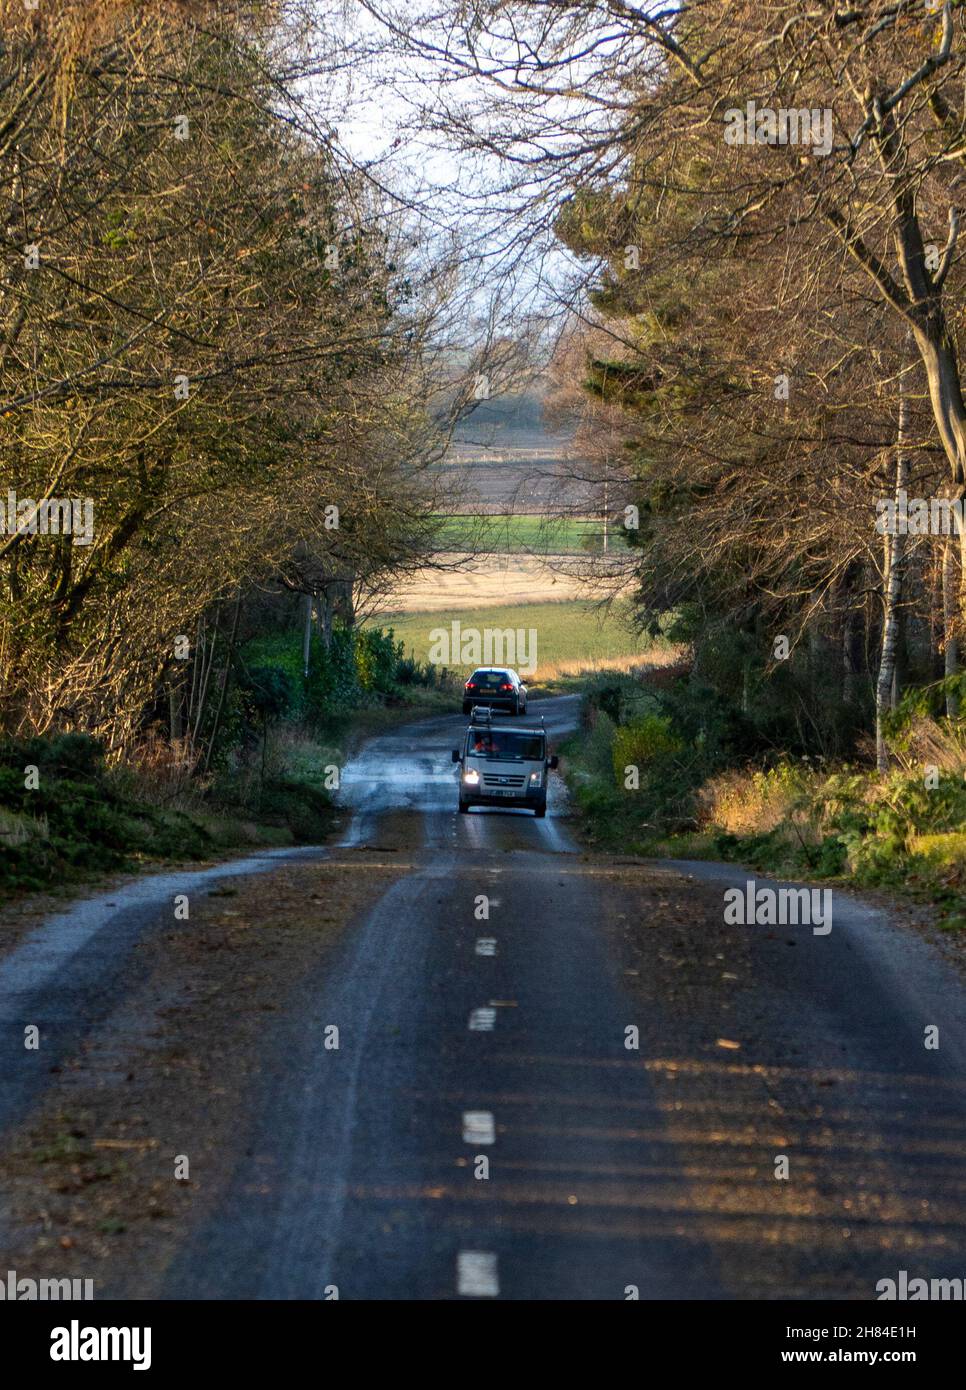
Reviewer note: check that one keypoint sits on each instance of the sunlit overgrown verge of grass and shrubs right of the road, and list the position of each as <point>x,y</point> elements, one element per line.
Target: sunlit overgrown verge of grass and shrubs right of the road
<point>660,772</point>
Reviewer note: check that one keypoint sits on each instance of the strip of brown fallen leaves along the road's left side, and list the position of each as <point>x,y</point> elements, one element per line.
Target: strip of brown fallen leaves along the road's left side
<point>172,1071</point>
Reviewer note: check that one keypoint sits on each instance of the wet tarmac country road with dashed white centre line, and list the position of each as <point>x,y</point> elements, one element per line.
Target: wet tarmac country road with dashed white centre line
<point>483,1128</point>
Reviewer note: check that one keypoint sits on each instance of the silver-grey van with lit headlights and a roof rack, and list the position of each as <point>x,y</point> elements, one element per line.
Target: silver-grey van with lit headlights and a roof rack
<point>502,765</point>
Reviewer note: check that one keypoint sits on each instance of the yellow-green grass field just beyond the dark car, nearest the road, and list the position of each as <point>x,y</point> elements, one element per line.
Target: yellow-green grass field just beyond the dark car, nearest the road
<point>569,636</point>
